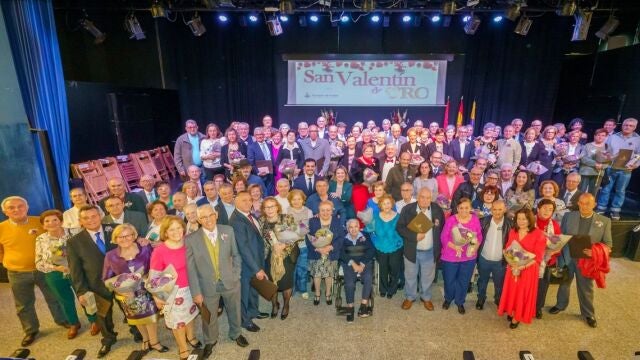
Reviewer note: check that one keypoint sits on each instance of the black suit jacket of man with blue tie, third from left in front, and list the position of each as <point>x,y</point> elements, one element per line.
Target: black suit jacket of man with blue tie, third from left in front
<point>86,262</point>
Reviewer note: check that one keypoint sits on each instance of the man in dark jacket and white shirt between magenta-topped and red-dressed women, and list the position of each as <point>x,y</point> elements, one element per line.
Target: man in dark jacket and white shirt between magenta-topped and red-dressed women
<point>495,229</point>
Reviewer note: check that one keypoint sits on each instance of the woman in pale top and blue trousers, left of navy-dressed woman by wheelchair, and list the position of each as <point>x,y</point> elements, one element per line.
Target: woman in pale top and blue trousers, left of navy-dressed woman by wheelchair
<point>301,214</point>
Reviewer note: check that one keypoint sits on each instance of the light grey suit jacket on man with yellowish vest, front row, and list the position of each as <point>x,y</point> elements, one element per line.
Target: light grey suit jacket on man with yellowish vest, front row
<point>200,266</point>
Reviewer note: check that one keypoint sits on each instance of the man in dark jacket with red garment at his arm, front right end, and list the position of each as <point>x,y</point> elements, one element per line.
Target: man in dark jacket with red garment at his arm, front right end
<point>585,221</point>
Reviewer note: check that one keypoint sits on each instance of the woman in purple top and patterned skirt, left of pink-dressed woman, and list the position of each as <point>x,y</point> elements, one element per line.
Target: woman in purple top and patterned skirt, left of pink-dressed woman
<point>138,306</point>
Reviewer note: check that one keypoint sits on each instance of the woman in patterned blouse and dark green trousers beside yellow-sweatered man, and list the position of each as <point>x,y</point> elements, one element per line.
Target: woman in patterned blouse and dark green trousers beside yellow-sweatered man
<point>51,260</point>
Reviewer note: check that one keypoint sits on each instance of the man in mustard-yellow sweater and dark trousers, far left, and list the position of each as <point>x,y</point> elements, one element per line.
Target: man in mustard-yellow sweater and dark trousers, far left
<point>18,255</point>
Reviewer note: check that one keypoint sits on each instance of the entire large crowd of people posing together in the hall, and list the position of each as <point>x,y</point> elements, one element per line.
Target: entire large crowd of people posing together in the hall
<point>305,208</point>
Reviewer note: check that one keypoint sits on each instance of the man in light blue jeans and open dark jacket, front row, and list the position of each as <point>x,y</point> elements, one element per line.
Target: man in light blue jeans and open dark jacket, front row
<point>421,250</point>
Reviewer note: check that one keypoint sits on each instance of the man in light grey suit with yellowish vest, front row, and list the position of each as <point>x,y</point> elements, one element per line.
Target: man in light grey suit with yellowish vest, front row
<point>214,265</point>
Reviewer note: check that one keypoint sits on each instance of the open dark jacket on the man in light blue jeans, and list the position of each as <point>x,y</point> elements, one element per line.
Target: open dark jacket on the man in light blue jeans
<point>410,238</point>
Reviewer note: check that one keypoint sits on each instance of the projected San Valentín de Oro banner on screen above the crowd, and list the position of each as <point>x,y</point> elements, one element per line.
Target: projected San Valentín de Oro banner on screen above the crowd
<point>366,82</point>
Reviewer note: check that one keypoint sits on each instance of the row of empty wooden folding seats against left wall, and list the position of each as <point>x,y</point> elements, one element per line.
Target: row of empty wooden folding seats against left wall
<point>95,174</point>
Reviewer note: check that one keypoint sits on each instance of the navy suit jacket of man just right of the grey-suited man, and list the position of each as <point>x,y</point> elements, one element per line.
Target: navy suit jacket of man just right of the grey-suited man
<point>250,244</point>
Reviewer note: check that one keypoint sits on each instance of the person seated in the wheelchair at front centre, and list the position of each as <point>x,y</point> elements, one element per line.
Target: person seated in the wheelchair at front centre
<point>357,262</point>
